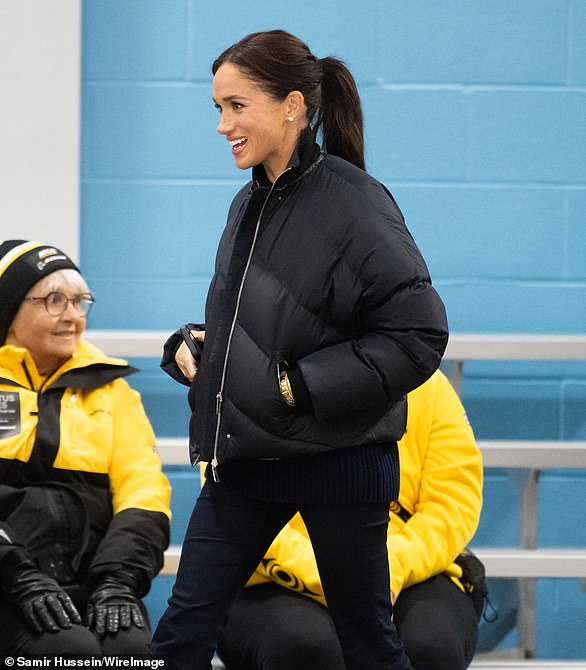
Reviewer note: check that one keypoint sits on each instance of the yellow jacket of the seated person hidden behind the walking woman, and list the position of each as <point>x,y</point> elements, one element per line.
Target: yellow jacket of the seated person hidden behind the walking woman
<point>441,486</point>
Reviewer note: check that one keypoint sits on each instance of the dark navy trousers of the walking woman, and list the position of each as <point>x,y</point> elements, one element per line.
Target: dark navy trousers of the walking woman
<point>227,536</point>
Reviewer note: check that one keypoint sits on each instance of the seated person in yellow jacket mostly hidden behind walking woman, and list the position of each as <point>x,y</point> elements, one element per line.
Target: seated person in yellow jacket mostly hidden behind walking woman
<point>280,621</point>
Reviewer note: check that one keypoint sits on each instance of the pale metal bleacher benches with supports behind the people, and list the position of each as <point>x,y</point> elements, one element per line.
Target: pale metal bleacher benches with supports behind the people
<point>527,562</point>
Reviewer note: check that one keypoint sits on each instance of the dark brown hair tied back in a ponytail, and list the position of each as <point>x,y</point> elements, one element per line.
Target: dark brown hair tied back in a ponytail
<point>279,63</point>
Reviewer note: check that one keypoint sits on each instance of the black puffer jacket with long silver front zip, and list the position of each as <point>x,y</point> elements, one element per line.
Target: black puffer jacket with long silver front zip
<point>320,271</point>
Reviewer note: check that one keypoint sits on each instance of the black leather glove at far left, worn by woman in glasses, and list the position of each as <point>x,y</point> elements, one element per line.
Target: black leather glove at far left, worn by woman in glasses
<point>44,604</point>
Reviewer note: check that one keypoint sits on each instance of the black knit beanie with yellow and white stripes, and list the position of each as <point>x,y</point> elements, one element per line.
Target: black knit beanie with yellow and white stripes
<point>22,265</point>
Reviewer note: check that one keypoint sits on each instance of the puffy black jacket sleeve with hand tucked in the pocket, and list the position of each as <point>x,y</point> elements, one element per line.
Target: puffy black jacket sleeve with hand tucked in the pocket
<point>402,320</point>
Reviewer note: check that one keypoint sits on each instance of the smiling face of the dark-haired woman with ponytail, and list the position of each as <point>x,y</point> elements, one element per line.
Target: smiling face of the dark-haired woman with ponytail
<point>256,125</point>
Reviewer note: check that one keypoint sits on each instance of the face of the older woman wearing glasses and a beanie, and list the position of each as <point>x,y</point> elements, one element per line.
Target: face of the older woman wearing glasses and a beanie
<point>51,340</point>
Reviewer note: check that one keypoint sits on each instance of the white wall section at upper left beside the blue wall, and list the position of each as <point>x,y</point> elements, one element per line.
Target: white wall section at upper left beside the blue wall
<point>39,121</point>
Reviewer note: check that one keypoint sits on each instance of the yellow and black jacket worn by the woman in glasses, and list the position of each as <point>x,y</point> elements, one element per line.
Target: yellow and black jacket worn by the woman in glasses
<point>78,445</point>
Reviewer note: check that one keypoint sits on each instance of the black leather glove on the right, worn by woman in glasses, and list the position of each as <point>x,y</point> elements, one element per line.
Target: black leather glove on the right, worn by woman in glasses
<point>112,606</point>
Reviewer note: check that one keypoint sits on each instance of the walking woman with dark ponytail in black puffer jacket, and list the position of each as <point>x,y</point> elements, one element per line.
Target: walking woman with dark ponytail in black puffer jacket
<point>320,318</point>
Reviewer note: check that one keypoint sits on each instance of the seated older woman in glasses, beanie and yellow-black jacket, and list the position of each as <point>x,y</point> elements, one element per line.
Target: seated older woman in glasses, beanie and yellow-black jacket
<point>84,505</point>
